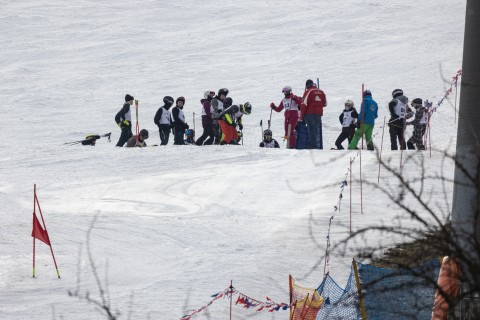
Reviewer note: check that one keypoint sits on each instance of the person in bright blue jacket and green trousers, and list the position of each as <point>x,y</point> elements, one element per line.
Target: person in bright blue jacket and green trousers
<point>366,121</point>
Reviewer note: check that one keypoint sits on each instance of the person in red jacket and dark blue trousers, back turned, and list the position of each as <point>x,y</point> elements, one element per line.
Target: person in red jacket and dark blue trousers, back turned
<point>311,112</point>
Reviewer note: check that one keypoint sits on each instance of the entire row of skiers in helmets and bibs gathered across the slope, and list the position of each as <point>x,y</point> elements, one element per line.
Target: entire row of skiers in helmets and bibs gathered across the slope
<point>302,123</point>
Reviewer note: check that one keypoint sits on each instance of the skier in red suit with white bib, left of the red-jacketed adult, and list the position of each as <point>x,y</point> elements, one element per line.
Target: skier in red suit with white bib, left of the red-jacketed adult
<point>291,103</point>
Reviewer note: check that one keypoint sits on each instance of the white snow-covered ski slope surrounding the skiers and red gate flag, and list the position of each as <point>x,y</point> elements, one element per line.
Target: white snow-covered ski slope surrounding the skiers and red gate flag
<point>175,225</point>
